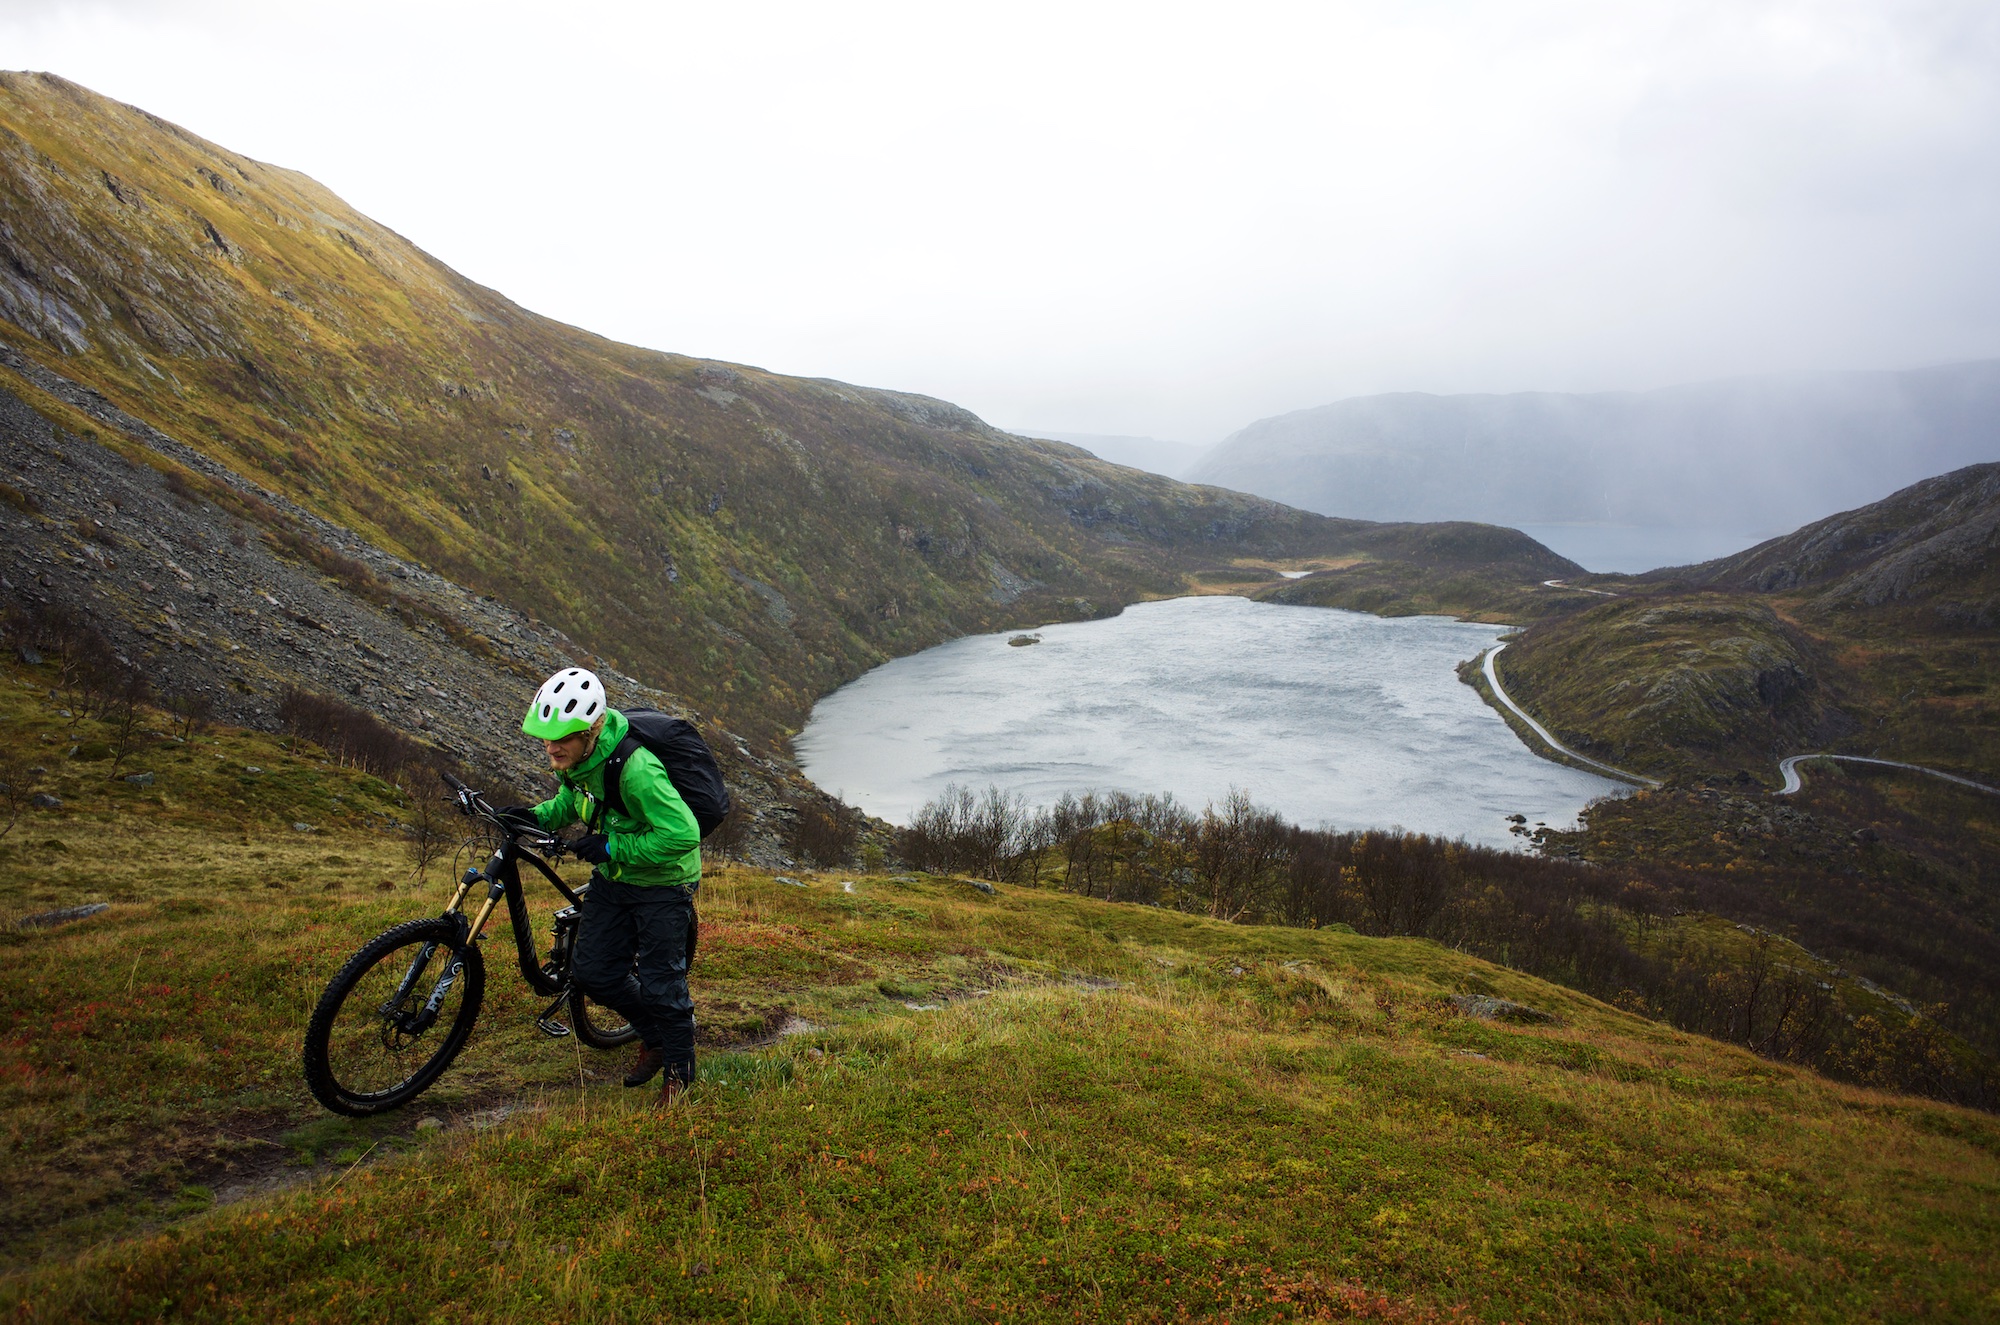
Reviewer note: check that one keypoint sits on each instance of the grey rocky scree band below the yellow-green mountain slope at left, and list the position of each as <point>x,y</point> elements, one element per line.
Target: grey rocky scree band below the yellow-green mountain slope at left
<point>101,519</point>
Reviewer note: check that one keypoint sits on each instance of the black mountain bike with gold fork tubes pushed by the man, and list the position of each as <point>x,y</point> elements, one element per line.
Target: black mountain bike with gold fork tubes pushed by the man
<point>403,1008</point>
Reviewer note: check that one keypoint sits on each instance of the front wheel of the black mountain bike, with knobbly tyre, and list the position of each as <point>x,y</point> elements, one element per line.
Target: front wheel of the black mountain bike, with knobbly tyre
<point>395,1018</point>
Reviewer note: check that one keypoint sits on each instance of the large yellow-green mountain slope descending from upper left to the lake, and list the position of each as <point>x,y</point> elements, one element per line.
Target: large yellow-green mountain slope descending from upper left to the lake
<point>745,537</point>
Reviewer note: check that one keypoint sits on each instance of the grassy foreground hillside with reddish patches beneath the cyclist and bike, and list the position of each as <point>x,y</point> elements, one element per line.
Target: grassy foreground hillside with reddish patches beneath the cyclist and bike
<point>1023,1104</point>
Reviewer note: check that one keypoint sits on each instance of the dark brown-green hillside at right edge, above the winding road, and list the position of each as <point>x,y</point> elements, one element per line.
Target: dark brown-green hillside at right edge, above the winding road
<point>1869,633</point>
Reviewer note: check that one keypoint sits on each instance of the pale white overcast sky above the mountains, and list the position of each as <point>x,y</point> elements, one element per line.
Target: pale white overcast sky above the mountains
<point>1149,219</point>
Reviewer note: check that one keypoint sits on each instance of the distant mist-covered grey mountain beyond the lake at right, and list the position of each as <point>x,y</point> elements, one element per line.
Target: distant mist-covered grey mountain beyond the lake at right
<point>1753,453</point>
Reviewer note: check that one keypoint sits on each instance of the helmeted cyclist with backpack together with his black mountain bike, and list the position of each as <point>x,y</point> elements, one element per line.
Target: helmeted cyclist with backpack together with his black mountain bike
<point>647,788</point>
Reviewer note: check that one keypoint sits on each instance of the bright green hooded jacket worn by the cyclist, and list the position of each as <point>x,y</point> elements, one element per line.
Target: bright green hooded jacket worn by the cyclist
<point>655,842</point>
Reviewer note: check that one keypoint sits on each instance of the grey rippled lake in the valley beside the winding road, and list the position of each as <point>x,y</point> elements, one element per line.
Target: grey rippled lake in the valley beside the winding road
<point>1327,718</point>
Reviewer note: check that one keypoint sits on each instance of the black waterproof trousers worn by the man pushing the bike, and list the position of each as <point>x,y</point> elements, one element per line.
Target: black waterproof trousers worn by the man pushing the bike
<point>633,952</point>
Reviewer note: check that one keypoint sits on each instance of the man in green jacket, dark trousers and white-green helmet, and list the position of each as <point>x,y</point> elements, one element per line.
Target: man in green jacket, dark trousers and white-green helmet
<point>637,930</point>
